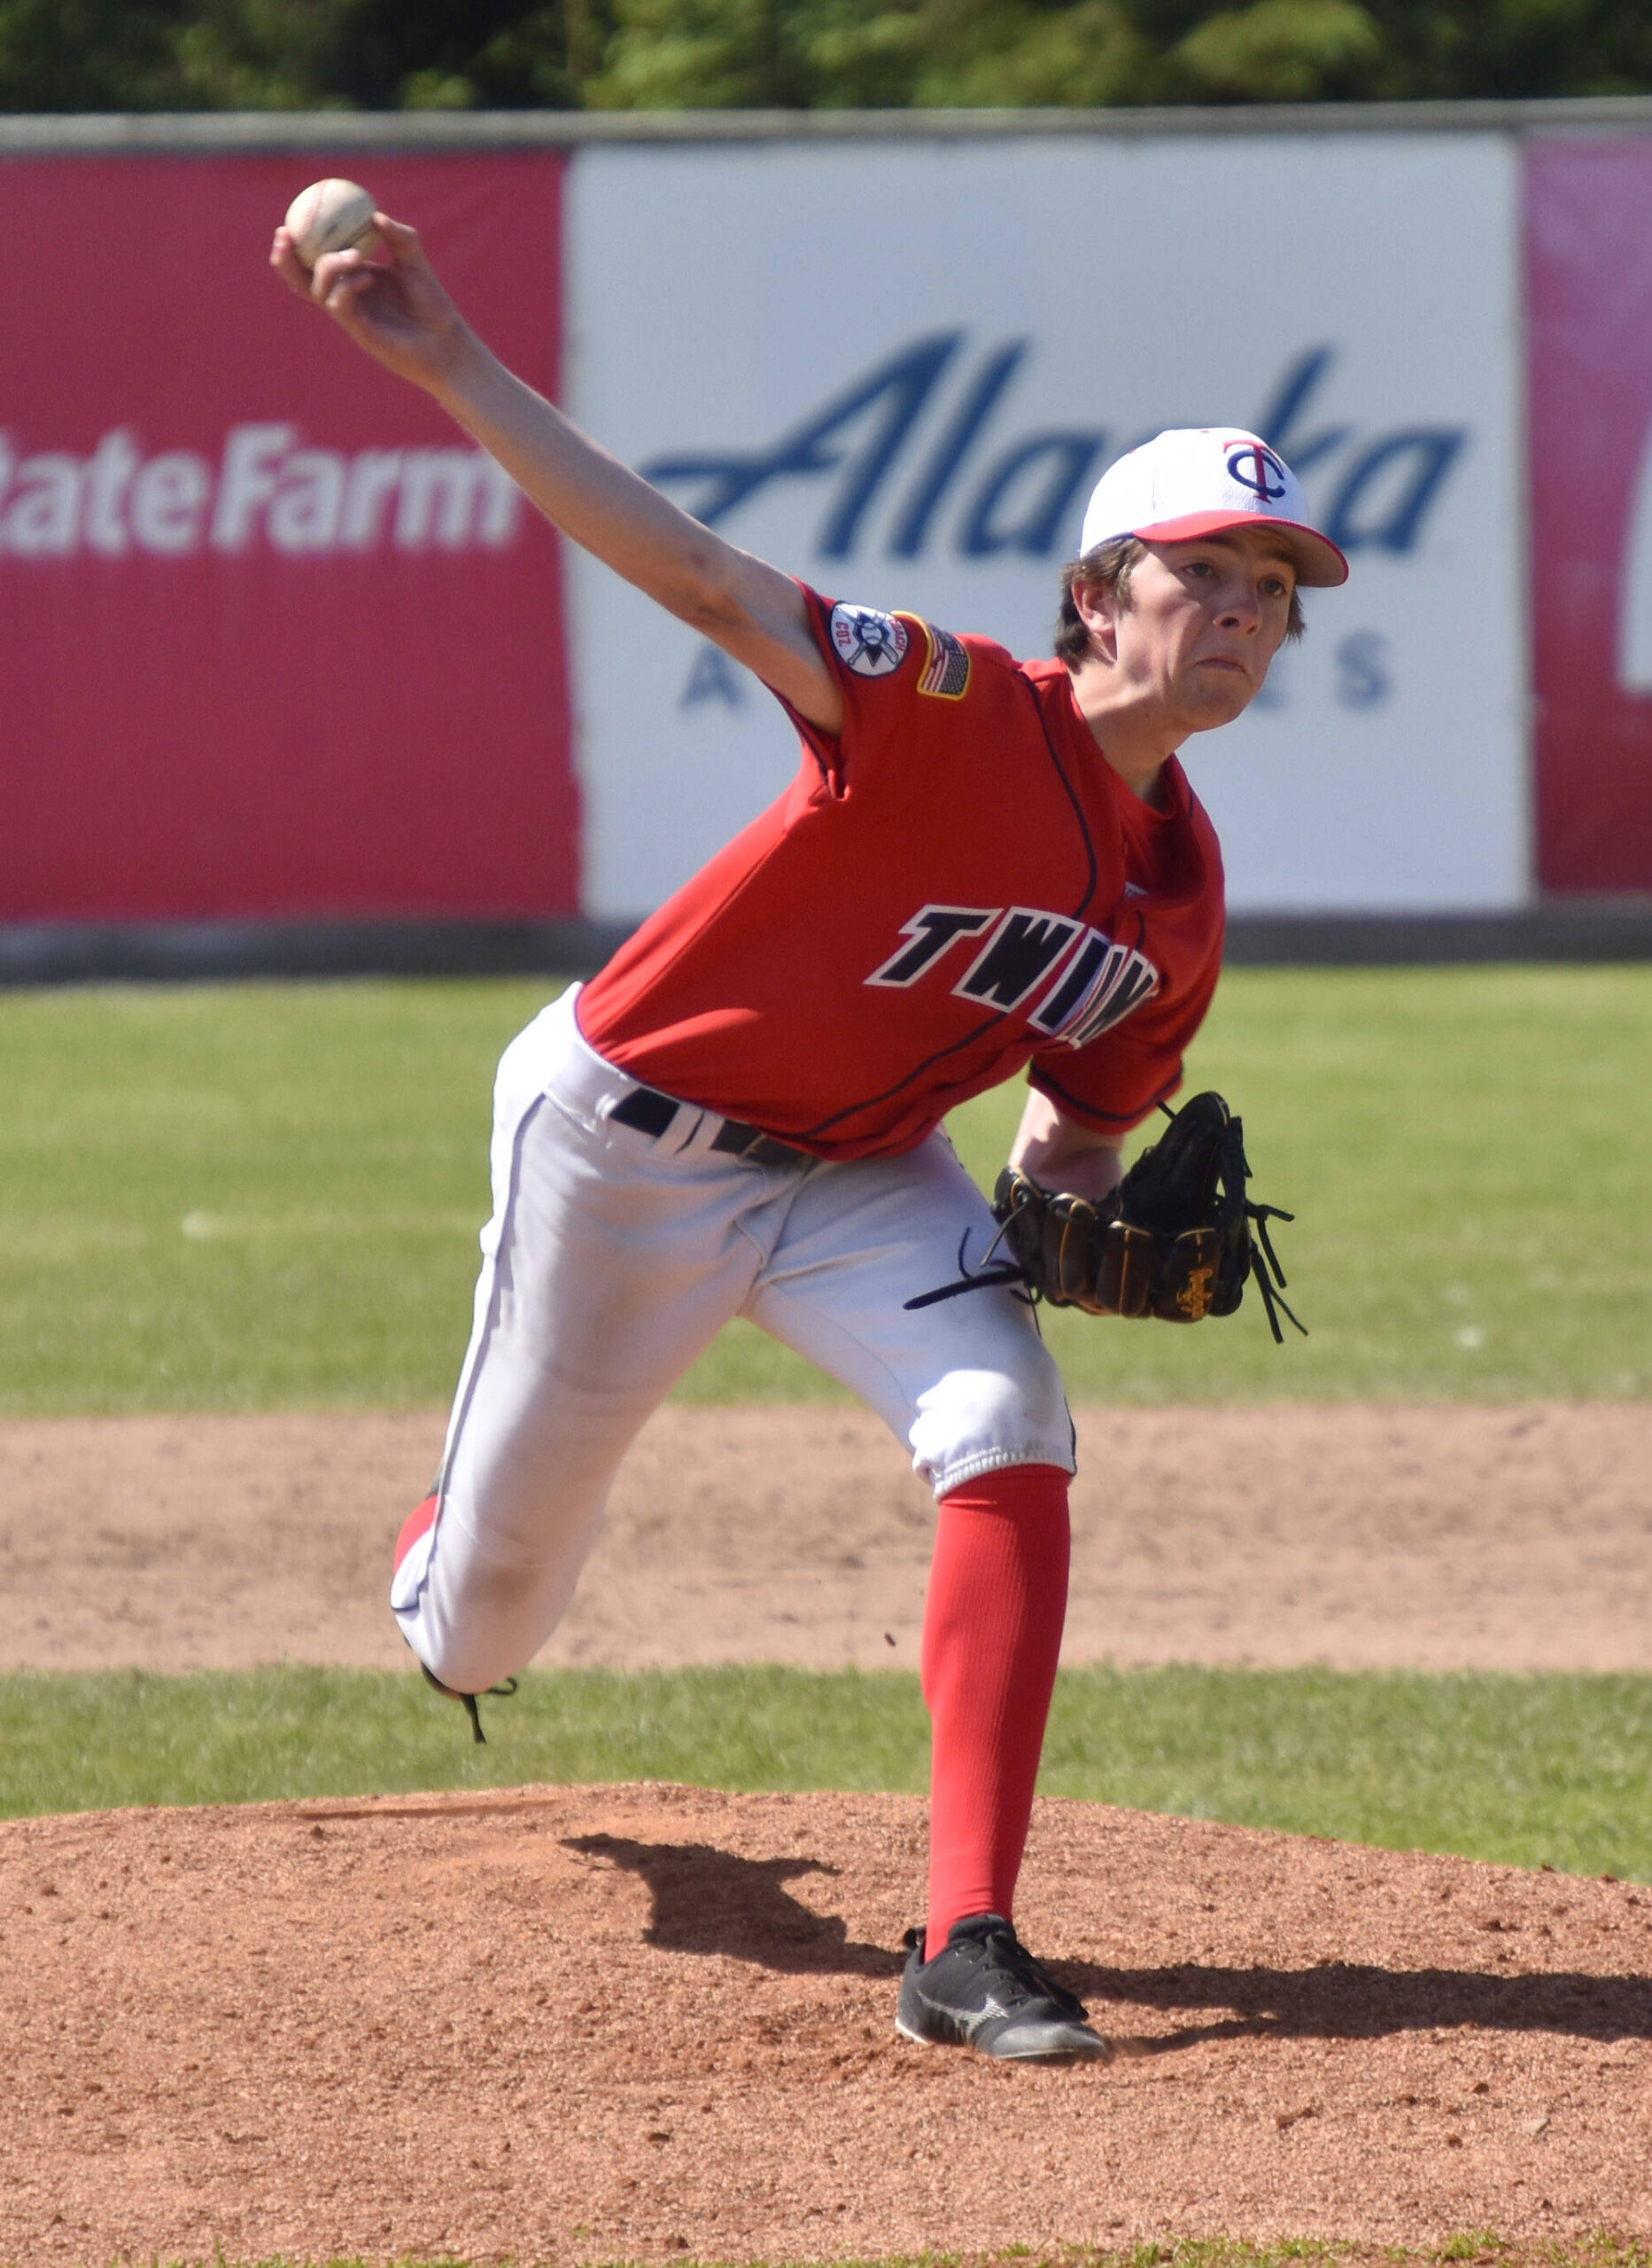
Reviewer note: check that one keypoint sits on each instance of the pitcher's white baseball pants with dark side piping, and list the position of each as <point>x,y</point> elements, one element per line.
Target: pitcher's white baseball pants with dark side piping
<point>613,1260</point>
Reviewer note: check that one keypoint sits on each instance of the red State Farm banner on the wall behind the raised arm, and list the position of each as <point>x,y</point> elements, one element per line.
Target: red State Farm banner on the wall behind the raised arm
<point>278,641</point>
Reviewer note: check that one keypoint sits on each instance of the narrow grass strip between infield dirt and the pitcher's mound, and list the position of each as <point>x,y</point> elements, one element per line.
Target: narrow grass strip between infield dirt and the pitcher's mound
<point>1531,1772</point>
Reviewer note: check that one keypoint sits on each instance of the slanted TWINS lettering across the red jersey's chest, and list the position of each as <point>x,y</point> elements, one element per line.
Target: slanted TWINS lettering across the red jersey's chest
<point>1082,983</point>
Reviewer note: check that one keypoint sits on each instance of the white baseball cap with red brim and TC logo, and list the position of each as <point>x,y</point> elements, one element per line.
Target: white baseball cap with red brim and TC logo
<point>1202,480</point>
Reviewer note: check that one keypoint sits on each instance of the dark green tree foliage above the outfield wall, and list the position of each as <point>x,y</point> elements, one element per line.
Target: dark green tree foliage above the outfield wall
<point>189,56</point>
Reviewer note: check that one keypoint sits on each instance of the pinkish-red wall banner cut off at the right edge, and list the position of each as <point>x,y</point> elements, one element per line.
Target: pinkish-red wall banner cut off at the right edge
<point>1590,298</point>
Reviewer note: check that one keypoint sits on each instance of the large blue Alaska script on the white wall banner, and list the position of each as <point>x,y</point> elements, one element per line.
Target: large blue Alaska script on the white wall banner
<point>919,446</point>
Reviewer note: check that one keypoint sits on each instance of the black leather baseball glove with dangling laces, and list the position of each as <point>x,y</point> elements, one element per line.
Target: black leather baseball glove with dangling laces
<point>1173,1242</point>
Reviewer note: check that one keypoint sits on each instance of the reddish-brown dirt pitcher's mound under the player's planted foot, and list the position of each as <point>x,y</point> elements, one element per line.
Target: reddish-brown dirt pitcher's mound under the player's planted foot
<point>652,2022</point>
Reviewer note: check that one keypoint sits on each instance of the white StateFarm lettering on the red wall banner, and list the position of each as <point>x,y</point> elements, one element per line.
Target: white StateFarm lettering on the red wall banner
<point>264,486</point>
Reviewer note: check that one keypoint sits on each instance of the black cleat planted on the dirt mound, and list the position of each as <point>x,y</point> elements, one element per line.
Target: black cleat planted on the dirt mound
<point>987,1992</point>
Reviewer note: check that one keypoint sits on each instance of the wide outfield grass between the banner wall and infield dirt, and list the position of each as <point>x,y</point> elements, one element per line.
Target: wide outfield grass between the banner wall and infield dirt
<point>269,1196</point>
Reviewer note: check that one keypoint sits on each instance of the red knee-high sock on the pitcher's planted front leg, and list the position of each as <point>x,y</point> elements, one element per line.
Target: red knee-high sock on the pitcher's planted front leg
<point>998,1598</point>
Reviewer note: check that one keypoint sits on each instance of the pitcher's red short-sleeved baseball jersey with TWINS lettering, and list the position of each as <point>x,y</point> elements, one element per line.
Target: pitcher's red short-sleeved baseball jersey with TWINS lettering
<point>955,888</point>
